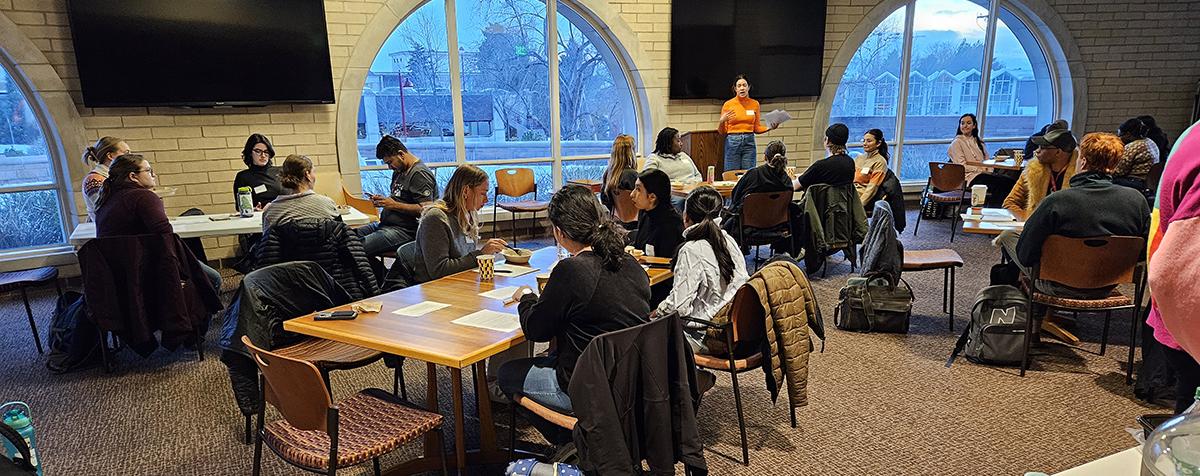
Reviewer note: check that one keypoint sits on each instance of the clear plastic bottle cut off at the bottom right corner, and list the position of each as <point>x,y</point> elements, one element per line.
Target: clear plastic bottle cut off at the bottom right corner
<point>1174,448</point>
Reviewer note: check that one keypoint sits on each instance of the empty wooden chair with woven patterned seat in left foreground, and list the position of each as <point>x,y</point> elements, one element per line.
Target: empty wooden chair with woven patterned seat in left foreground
<point>322,437</point>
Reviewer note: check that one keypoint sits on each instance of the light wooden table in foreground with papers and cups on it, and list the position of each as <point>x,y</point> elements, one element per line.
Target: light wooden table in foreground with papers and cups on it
<point>434,339</point>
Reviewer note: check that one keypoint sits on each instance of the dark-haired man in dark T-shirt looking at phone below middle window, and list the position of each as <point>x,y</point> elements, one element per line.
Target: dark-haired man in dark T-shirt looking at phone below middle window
<point>413,188</point>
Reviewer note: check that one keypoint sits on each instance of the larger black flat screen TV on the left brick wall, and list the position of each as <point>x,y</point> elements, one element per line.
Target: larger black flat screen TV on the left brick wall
<point>201,53</point>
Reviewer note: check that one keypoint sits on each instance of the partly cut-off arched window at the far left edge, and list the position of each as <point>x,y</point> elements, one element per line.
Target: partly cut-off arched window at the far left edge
<point>31,201</point>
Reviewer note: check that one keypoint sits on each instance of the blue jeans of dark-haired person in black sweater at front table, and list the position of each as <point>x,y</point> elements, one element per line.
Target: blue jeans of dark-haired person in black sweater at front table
<point>536,379</point>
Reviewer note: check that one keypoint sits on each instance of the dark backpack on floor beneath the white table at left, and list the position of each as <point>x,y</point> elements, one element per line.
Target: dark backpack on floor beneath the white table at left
<point>75,340</point>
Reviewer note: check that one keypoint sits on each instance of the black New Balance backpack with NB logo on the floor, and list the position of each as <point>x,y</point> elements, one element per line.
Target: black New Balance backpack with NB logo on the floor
<point>997,333</point>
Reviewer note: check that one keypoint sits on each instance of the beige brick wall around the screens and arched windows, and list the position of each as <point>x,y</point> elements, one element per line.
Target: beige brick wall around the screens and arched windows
<point>1142,58</point>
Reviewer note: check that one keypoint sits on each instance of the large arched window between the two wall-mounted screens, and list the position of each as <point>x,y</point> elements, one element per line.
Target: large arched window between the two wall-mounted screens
<point>505,65</point>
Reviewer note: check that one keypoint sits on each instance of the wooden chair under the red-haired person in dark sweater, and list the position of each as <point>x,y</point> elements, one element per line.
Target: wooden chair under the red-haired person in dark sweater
<point>1088,263</point>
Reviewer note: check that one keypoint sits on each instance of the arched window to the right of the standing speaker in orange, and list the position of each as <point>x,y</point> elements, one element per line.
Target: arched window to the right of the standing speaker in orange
<point>949,75</point>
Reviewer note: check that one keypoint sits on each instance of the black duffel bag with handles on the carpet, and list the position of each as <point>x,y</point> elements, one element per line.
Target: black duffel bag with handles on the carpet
<point>873,305</point>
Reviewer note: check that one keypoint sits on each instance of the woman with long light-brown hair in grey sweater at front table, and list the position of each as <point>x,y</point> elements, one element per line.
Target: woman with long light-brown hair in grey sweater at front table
<point>449,230</point>
